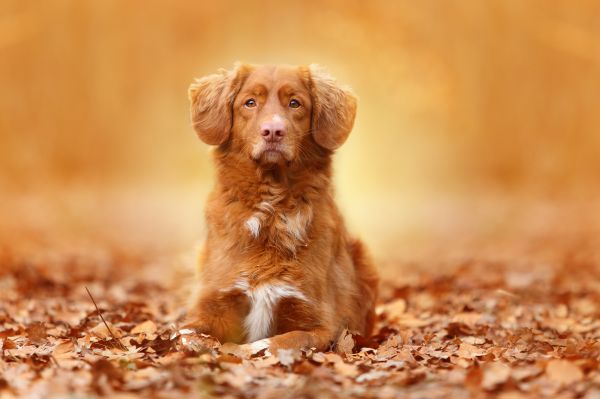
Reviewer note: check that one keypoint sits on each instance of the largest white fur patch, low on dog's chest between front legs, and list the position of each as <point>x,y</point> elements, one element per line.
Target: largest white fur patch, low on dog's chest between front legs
<point>263,300</point>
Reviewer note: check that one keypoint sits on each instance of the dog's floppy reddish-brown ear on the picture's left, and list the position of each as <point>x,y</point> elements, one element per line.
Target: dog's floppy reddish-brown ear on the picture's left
<point>211,99</point>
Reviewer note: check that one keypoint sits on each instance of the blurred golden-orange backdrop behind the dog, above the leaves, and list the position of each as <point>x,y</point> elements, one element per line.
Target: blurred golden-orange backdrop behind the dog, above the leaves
<point>478,125</point>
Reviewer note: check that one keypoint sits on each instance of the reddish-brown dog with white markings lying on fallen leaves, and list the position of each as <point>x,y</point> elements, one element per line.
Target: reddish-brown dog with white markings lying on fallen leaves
<point>278,268</point>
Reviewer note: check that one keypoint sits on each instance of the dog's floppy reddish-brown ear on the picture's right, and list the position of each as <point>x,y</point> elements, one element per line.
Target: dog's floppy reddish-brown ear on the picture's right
<point>334,108</point>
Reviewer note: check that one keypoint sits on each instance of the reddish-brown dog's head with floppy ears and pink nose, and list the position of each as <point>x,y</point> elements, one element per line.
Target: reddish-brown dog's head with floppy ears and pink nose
<point>272,113</point>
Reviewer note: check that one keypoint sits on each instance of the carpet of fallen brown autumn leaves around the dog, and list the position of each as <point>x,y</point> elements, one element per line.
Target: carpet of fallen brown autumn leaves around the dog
<point>479,329</point>
